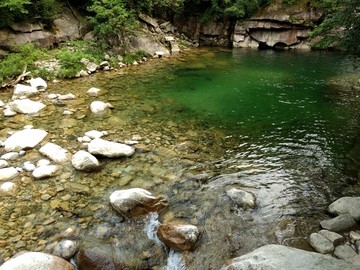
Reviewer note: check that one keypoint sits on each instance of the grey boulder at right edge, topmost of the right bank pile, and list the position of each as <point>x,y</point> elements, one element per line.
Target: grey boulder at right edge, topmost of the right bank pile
<point>346,205</point>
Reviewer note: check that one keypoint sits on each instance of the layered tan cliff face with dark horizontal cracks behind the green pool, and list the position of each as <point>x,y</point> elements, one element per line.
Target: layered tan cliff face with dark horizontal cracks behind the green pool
<point>277,26</point>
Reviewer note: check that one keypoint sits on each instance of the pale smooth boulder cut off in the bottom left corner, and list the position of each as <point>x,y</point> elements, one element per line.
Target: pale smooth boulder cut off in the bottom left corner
<point>38,261</point>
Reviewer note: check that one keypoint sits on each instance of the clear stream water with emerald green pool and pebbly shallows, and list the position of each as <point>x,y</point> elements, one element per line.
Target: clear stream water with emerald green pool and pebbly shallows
<point>271,123</point>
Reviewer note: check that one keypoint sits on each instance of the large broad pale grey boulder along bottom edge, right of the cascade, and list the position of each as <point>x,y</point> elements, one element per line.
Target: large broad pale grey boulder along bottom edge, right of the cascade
<point>277,257</point>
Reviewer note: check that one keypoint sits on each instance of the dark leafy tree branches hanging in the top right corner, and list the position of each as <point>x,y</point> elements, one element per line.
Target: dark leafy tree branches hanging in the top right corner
<point>341,28</point>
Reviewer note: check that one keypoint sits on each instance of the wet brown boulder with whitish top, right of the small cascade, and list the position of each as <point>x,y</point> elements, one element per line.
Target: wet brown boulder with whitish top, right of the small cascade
<point>179,237</point>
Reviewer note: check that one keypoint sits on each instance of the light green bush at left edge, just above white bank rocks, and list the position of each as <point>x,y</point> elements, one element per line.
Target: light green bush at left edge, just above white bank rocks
<point>14,63</point>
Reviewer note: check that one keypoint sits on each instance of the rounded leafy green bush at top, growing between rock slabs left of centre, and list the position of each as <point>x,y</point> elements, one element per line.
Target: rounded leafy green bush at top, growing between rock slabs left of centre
<point>111,17</point>
